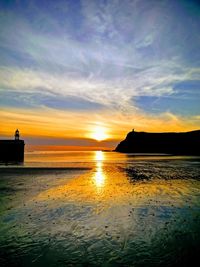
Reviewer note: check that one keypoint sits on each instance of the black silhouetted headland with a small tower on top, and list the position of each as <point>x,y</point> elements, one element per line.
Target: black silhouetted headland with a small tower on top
<point>182,143</point>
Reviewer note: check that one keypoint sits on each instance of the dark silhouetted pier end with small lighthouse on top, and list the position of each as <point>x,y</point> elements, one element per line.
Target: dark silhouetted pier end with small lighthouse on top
<point>12,151</point>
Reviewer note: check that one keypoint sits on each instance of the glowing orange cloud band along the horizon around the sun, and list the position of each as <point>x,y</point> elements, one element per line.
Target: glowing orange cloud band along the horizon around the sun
<point>50,123</point>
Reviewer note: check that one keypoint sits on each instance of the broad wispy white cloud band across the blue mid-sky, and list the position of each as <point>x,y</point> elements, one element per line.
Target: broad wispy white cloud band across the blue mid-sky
<point>119,93</point>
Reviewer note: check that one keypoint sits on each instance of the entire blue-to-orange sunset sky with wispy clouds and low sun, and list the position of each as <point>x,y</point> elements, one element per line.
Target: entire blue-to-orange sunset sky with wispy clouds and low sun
<point>76,71</point>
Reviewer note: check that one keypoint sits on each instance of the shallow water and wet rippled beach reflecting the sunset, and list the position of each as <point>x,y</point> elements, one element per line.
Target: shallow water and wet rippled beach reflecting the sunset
<point>125,210</point>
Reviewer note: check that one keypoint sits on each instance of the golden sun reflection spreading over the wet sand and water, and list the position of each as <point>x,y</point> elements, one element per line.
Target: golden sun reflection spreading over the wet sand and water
<point>108,184</point>
